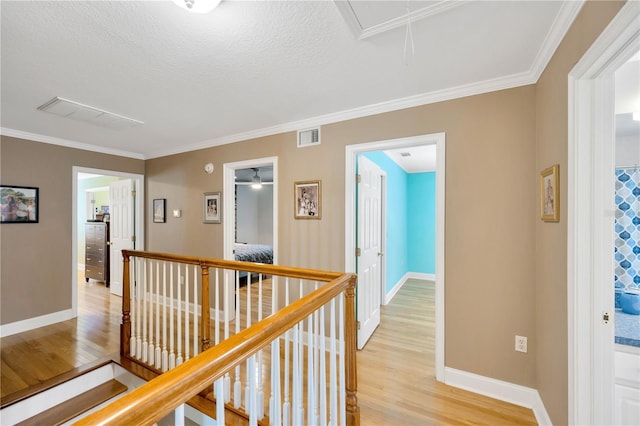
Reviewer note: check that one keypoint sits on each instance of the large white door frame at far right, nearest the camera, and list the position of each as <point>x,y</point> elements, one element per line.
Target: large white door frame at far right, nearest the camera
<point>590,174</point>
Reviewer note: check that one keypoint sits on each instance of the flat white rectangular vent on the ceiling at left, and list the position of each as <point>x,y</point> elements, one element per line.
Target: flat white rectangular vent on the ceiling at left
<point>77,111</point>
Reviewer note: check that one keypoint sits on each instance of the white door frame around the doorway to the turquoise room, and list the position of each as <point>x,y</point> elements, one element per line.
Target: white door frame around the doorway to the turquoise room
<point>352,151</point>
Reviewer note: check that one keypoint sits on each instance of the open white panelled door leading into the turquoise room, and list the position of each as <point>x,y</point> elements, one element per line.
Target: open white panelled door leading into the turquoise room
<point>370,245</point>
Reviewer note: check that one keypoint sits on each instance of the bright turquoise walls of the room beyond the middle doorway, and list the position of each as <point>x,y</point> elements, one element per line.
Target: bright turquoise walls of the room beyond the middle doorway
<point>411,207</point>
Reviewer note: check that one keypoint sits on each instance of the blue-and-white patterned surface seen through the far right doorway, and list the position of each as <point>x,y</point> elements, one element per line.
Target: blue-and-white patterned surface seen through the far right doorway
<point>627,229</point>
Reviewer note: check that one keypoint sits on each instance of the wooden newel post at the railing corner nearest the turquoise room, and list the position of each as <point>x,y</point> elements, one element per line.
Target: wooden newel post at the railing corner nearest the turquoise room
<point>352,409</point>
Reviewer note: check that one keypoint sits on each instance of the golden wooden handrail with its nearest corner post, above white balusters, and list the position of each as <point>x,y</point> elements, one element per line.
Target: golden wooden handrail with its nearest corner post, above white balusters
<point>154,400</point>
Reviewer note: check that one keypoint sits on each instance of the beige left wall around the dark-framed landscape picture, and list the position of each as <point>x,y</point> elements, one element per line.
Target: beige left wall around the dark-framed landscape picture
<point>36,263</point>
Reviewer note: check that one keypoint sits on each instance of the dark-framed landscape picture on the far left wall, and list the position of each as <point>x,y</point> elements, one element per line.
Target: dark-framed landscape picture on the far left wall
<point>18,204</point>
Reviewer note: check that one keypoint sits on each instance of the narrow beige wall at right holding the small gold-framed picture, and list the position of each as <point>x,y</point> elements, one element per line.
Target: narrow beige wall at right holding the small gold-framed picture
<point>551,238</point>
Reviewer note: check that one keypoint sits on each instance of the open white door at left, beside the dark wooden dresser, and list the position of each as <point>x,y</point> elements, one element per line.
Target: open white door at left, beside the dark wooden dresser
<point>121,228</point>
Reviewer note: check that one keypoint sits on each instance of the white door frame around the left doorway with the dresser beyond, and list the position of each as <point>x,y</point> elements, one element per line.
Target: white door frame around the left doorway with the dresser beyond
<point>139,216</point>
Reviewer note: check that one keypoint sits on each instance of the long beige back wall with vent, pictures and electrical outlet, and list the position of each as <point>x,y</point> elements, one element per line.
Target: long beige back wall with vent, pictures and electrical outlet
<point>490,214</point>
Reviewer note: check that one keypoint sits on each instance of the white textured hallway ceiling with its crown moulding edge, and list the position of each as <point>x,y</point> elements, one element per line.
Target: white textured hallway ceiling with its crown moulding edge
<point>250,69</point>
